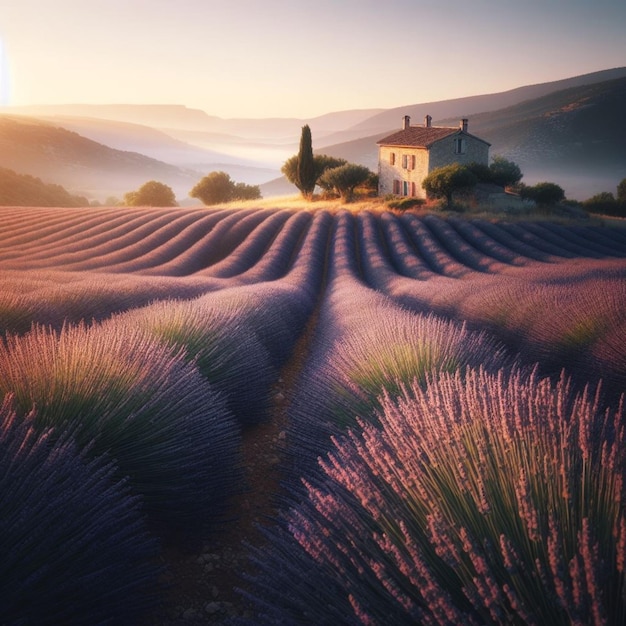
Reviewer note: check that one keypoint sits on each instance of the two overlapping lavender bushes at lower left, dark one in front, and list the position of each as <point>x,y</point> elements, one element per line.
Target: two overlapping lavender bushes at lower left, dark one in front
<point>108,432</point>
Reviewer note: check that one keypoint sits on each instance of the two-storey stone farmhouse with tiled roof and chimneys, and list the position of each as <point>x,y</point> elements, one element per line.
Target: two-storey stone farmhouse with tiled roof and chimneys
<point>407,156</point>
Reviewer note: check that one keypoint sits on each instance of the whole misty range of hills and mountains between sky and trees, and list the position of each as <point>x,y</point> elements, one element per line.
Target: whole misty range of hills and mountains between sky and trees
<point>569,131</point>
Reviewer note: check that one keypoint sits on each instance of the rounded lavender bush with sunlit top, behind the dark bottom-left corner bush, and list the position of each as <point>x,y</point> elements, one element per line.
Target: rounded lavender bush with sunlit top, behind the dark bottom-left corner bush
<point>124,394</point>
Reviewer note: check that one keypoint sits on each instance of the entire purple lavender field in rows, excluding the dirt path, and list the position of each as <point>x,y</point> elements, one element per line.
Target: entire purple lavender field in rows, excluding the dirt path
<point>455,450</point>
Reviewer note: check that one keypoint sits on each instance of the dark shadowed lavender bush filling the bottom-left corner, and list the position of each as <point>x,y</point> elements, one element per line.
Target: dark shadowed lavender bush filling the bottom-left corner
<point>72,538</point>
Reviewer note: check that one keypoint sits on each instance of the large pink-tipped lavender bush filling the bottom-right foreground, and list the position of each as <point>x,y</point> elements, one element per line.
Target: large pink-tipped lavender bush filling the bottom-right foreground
<point>478,499</point>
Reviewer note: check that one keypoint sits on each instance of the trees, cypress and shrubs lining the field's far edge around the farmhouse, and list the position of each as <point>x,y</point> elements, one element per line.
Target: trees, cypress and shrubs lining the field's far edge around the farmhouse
<point>335,177</point>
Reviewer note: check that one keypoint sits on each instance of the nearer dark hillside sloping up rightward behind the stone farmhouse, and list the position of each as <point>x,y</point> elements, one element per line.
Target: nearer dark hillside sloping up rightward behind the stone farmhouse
<point>574,137</point>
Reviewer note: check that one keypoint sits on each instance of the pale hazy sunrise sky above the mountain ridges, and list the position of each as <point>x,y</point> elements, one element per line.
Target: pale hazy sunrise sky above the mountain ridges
<point>297,58</point>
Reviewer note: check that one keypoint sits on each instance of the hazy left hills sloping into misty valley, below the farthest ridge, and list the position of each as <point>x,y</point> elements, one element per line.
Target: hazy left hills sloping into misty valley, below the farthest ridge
<point>56,154</point>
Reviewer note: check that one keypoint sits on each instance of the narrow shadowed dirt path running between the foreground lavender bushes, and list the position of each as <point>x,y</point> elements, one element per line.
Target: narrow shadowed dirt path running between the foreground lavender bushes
<point>202,580</point>
